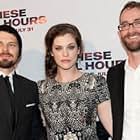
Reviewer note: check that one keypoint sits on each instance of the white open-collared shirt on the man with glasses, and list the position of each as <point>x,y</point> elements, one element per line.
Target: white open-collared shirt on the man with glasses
<point>131,126</point>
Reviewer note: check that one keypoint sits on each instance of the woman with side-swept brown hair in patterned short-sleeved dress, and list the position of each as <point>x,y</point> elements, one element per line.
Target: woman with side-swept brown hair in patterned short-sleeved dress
<point>70,99</point>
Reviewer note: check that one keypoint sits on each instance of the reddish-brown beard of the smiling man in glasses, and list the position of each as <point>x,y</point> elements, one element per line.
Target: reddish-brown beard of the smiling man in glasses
<point>132,46</point>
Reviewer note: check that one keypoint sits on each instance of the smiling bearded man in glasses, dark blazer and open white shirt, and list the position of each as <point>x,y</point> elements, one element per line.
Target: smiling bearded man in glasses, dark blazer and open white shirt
<point>124,79</point>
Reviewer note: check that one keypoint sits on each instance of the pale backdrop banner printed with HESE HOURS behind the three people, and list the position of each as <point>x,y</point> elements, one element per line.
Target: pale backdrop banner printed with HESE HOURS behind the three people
<point>97,21</point>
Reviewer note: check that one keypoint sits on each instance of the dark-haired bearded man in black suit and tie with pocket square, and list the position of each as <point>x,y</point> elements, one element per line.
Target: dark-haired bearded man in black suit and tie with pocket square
<point>19,114</point>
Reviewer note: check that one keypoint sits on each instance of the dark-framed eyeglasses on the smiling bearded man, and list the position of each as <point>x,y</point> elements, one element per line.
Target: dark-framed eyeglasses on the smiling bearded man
<point>126,26</point>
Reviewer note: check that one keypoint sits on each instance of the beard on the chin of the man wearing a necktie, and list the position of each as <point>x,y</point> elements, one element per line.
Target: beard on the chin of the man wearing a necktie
<point>6,64</point>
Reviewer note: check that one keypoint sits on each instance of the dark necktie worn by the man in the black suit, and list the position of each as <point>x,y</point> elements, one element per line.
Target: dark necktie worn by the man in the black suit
<point>12,99</point>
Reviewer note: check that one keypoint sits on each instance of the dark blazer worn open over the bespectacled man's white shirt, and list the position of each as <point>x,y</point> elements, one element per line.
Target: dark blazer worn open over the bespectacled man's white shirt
<point>115,80</point>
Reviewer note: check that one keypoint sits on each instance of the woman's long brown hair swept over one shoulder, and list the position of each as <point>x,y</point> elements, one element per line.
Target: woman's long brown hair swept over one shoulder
<point>53,32</point>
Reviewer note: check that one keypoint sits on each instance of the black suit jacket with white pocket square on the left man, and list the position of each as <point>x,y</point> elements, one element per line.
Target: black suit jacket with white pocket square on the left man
<point>26,110</point>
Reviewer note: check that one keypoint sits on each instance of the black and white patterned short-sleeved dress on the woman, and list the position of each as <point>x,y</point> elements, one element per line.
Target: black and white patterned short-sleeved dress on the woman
<point>71,108</point>
